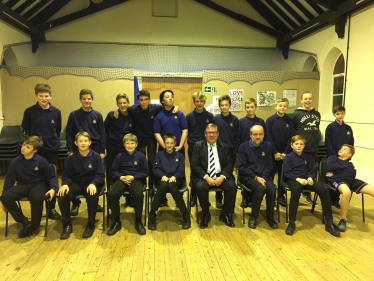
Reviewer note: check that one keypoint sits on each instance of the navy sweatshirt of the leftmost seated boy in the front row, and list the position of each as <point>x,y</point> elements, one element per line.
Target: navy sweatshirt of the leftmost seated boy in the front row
<point>28,171</point>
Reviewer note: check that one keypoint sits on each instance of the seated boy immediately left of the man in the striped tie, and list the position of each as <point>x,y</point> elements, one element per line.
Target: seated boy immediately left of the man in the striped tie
<point>168,169</point>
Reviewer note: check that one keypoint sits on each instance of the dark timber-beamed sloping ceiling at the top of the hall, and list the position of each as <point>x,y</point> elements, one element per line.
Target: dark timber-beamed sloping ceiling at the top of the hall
<point>285,20</point>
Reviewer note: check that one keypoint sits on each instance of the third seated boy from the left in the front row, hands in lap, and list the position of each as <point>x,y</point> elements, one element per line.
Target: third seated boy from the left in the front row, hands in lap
<point>129,171</point>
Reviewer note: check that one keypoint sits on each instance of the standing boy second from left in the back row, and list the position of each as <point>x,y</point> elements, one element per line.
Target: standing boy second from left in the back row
<point>91,121</point>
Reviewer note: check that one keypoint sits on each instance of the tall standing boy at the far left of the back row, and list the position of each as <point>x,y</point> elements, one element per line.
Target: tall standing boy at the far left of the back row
<point>44,120</point>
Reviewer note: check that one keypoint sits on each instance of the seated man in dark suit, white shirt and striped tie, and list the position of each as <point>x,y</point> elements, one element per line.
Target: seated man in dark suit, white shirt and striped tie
<point>212,166</point>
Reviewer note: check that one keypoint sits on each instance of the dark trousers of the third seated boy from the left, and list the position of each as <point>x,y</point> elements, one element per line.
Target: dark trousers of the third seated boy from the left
<point>117,190</point>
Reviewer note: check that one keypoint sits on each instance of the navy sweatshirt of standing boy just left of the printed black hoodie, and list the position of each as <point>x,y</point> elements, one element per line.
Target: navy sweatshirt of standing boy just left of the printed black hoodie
<point>280,131</point>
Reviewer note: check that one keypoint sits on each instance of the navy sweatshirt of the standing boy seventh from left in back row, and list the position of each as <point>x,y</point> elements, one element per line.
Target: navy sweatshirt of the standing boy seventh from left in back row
<point>229,130</point>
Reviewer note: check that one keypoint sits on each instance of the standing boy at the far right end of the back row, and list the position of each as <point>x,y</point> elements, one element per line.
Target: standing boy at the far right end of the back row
<point>337,133</point>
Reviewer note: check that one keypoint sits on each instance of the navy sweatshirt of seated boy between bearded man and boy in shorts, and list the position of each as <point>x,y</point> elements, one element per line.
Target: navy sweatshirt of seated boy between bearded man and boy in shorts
<point>299,166</point>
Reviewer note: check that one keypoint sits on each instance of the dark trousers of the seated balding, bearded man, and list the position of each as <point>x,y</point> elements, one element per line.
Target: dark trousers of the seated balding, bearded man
<point>259,191</point>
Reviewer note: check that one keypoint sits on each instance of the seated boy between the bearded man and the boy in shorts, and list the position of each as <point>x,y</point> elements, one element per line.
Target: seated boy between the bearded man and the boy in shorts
<point>300,171</point>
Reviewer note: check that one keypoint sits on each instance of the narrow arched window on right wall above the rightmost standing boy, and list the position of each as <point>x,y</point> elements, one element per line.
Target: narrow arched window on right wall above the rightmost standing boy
<point>338,83</point>
